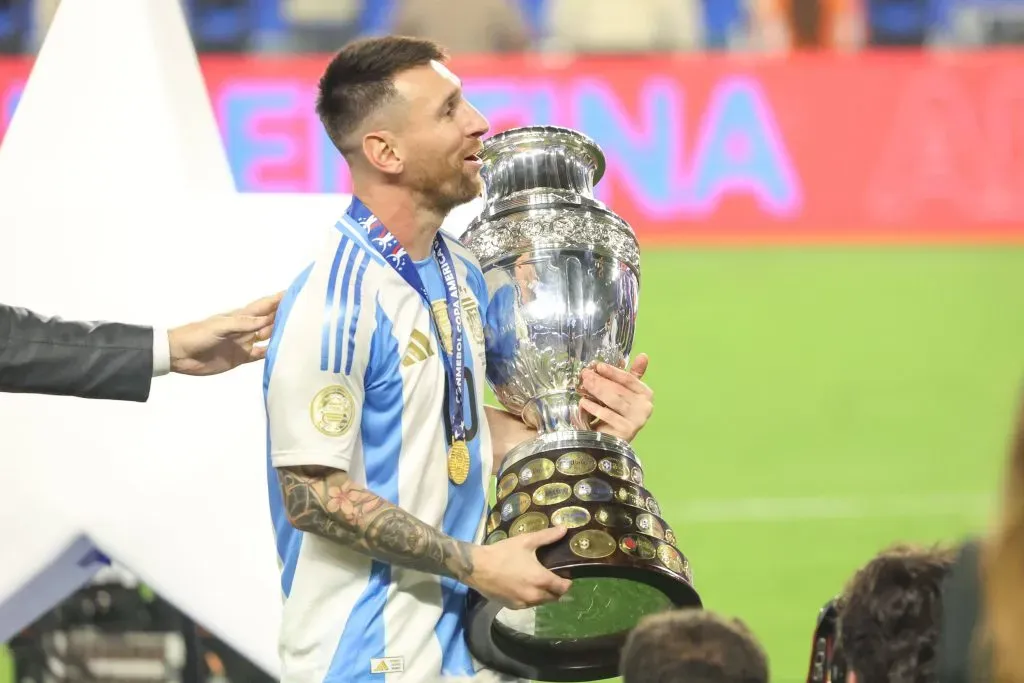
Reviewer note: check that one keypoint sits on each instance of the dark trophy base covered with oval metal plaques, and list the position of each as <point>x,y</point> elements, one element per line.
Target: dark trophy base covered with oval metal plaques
<point>618,551</point>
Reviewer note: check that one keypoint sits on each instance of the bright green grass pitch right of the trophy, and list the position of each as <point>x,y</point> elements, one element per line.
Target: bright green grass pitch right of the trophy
<point>817,405</point>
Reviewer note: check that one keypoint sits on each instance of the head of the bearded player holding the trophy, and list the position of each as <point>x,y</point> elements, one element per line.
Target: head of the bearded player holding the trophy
<point>398,115</point>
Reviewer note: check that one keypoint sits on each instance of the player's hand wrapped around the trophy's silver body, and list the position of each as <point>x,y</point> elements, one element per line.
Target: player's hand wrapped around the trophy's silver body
<point>618,399</point>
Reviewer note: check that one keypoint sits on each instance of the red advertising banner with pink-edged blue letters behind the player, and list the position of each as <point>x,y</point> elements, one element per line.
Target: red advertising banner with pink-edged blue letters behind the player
<point>866,148</point>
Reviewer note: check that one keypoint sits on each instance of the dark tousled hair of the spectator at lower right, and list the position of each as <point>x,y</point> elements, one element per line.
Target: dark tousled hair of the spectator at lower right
<point>890,616</point>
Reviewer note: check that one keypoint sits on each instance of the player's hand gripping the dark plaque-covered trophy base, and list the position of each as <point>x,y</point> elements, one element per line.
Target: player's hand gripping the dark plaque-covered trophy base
<point>509,572</point>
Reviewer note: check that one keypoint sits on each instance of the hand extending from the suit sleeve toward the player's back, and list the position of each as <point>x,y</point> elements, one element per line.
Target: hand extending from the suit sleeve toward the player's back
<point>223,343</point>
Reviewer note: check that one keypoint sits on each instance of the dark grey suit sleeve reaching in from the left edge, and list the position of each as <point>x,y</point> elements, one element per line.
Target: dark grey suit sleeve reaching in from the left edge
<point>50,356</point>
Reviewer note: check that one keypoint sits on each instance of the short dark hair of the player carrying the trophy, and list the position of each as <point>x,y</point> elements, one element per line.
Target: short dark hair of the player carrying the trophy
<point>361,79</point>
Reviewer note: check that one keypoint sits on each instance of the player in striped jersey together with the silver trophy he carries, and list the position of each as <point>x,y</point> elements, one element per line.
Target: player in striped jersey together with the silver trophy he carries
<point>381,450</point>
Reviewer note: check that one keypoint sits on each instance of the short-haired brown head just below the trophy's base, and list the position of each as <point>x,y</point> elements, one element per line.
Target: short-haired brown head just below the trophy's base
<point>693,646</point>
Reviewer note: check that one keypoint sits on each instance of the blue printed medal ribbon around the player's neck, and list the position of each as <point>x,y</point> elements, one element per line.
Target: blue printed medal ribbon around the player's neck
<point>396,255</point>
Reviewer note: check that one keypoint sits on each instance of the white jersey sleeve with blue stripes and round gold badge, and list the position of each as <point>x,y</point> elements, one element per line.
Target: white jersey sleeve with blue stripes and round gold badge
<point>316,377</point>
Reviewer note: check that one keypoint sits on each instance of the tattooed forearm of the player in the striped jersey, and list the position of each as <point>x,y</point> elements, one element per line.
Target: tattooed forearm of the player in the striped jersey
<point>327,503</point>
